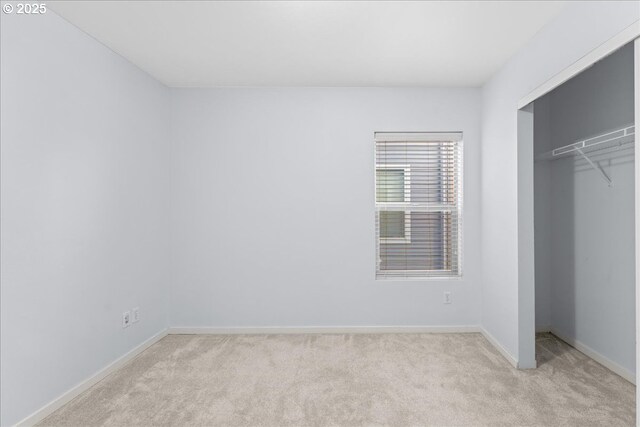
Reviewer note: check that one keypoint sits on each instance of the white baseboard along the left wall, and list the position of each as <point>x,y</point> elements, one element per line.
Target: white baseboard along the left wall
<point>65,398</point>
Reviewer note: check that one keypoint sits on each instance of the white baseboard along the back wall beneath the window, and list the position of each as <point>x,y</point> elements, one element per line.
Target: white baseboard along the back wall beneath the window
<point>324,330</point>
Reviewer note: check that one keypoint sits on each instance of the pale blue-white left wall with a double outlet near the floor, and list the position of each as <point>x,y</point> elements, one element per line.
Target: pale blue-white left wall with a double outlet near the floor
<point>84,208</point>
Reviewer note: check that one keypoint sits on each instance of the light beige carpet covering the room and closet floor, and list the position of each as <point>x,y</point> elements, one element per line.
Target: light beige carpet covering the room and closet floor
<point>351,380</point>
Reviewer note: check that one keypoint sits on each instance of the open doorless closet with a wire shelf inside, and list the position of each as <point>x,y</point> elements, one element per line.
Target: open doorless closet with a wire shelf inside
<point>584,221</point>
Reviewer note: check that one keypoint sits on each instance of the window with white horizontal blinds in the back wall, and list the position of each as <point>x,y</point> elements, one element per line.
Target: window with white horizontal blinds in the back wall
<point>418,184</point>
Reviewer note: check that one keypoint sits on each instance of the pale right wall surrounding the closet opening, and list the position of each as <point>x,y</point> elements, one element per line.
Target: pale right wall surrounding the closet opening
<point>579,28</point>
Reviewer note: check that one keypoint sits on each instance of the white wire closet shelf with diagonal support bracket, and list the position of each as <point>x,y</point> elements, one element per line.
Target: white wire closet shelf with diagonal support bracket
<point>614,139</point>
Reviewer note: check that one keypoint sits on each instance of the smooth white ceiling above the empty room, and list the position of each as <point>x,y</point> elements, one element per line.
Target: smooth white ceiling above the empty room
<point>303,43</point>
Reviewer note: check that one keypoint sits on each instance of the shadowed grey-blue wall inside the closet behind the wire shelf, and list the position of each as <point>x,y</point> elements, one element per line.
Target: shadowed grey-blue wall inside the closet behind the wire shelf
<point>591,262</point>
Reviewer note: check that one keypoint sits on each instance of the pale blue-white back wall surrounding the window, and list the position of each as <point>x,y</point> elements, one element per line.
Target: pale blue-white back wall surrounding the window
<point>273,213</point>
